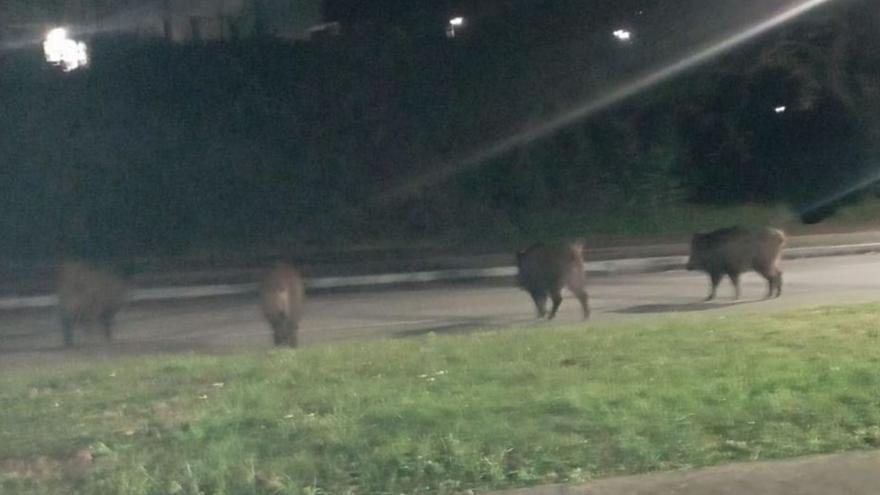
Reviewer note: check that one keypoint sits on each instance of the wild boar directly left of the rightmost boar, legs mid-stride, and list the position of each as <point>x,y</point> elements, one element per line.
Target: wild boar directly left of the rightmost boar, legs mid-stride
<point>544,269</point>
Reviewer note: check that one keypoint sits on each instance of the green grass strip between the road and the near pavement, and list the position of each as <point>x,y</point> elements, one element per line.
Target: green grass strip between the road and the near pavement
<point>449,414</point>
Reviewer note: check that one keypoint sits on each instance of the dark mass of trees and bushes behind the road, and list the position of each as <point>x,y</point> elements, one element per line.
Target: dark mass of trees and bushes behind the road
<point>160,149</point>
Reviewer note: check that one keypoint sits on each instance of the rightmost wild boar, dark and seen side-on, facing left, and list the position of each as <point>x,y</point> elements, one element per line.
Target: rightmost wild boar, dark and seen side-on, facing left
<point>734,250</point>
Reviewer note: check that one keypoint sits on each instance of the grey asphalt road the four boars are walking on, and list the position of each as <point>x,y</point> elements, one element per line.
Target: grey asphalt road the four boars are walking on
<point>231,324</point>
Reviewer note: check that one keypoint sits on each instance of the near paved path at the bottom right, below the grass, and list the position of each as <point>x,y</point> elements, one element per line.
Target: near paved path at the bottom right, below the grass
<point>855,473</point>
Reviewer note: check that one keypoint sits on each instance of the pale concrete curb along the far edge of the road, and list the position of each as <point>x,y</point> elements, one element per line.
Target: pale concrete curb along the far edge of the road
<point>606,267</point>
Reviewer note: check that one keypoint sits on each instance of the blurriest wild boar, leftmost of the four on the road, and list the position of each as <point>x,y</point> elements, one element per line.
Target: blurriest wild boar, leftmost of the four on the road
<point>89,295</point>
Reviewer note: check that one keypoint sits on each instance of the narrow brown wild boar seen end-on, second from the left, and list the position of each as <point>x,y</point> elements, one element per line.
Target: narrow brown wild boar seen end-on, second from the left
<point>281,299</point>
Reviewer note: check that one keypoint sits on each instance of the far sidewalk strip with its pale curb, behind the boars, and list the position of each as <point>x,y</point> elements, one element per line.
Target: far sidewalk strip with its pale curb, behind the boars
<point>31,290</point>
